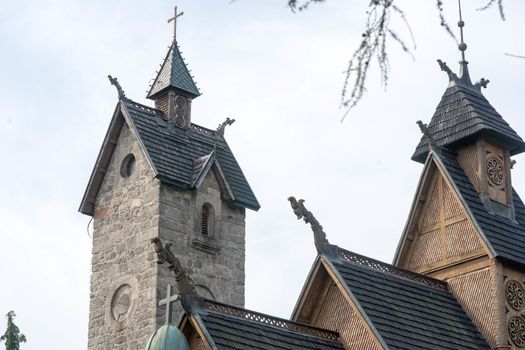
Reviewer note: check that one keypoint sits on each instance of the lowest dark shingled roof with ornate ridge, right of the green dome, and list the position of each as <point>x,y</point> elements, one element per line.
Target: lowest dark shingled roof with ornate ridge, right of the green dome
<point>232,328</point>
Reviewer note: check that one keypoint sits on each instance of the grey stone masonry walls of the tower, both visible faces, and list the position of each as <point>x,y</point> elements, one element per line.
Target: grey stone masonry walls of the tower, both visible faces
<point>126,282</point>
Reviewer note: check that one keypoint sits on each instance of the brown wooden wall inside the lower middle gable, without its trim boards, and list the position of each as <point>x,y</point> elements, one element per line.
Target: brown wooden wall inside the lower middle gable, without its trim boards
<point>337,314</point>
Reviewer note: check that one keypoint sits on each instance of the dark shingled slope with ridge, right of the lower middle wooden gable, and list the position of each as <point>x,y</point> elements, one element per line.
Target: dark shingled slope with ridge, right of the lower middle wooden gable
<point>408,310</point>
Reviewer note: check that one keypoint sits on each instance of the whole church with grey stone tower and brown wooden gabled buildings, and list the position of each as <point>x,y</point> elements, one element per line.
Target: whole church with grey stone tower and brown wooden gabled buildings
<point>168,201</point>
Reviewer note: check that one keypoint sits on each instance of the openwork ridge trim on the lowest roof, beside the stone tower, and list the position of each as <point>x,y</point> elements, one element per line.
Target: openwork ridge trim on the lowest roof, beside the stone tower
<point>273,321</point>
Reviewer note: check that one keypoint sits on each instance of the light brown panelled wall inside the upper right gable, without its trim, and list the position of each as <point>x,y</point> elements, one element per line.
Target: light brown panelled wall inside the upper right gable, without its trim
<point>444,234</point>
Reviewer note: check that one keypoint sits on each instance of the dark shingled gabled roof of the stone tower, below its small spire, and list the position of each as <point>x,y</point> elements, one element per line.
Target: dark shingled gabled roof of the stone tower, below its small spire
<point>176,154</point>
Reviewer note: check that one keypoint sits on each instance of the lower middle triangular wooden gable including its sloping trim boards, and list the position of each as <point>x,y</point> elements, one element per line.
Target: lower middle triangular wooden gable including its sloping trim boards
<point>325,302</point>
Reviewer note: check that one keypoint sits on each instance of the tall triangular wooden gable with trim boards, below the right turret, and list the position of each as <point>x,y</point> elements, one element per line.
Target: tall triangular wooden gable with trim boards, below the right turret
<point>440,229</point>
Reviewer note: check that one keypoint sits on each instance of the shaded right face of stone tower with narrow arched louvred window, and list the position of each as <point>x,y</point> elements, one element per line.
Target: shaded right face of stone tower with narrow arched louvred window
<point>215,261</point>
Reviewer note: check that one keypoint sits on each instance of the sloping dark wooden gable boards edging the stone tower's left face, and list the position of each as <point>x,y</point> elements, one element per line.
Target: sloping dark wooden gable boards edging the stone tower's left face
<point>120,117</point>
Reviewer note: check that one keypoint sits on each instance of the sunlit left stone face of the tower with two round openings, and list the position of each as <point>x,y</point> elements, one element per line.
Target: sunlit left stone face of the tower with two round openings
<point>124,273</point>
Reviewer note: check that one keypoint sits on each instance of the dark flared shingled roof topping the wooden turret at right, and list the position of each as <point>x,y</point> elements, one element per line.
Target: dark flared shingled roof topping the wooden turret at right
<point>464,113</point>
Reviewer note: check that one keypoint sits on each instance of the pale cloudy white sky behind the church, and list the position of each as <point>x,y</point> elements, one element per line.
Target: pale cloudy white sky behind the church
<point>279,75</point>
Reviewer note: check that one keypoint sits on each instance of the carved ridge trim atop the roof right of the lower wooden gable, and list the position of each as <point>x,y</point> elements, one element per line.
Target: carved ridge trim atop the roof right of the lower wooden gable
<point>380,266</point>
